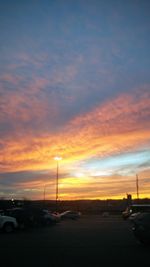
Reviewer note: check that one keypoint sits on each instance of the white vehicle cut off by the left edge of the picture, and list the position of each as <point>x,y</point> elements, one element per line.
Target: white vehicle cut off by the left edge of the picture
<point>8,224</point>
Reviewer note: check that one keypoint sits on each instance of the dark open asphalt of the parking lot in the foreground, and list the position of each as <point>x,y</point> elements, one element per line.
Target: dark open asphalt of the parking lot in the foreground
<point>90,241</point>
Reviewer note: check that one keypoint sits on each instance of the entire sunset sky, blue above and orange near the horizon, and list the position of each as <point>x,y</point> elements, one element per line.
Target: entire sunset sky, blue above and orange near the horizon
<point>75,83</point>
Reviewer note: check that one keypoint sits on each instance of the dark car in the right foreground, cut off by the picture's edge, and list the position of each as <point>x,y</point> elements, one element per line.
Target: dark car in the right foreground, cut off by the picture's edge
<point>141,228</point>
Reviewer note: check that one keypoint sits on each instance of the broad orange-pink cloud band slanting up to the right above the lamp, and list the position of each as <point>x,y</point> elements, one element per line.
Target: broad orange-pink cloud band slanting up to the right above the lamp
<point>109,129</point>
